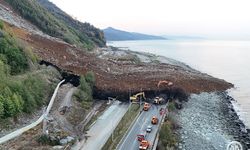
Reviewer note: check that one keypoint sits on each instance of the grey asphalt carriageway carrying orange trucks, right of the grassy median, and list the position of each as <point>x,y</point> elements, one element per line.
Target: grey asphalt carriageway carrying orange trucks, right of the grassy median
<point>130,142</point>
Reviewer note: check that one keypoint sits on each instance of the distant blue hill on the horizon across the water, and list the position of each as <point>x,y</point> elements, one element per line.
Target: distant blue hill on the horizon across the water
<point>112,34</point>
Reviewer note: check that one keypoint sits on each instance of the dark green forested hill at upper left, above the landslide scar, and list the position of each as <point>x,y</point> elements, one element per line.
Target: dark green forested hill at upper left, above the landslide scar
<point>53,21</point>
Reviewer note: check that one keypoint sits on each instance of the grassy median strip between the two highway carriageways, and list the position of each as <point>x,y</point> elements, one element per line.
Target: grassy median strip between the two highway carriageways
<point>122,127</point>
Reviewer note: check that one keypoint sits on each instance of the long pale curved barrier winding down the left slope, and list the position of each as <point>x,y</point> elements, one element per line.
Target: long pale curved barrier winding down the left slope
<point>32,125</point>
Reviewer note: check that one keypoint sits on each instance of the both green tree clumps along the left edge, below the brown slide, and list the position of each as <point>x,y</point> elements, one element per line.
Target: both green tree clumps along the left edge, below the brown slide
<point>17,95</point>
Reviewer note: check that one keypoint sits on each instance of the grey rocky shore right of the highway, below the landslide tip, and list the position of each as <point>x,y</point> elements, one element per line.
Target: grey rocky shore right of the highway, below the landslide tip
<point>208,121</point>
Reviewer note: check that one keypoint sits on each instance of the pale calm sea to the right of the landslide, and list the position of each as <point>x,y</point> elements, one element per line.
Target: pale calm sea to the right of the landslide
<point>228,60</point>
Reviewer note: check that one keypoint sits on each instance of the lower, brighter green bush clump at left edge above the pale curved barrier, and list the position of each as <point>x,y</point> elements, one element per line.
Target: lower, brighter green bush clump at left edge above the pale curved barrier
<point>20,95</point>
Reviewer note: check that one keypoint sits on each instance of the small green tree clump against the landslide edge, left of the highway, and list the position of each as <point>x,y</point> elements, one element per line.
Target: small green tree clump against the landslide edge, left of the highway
<point>84,93</point>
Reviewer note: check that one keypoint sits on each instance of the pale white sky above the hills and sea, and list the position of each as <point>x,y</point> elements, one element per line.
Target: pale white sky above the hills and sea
<point>211,18</point>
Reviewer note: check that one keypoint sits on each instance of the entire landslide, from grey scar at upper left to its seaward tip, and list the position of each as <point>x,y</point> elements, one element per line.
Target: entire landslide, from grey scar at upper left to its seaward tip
<point>117,72</point>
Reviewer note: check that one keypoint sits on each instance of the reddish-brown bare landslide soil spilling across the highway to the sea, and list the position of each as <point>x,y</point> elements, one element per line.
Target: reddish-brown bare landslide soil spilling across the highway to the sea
<point>115,76</point>
